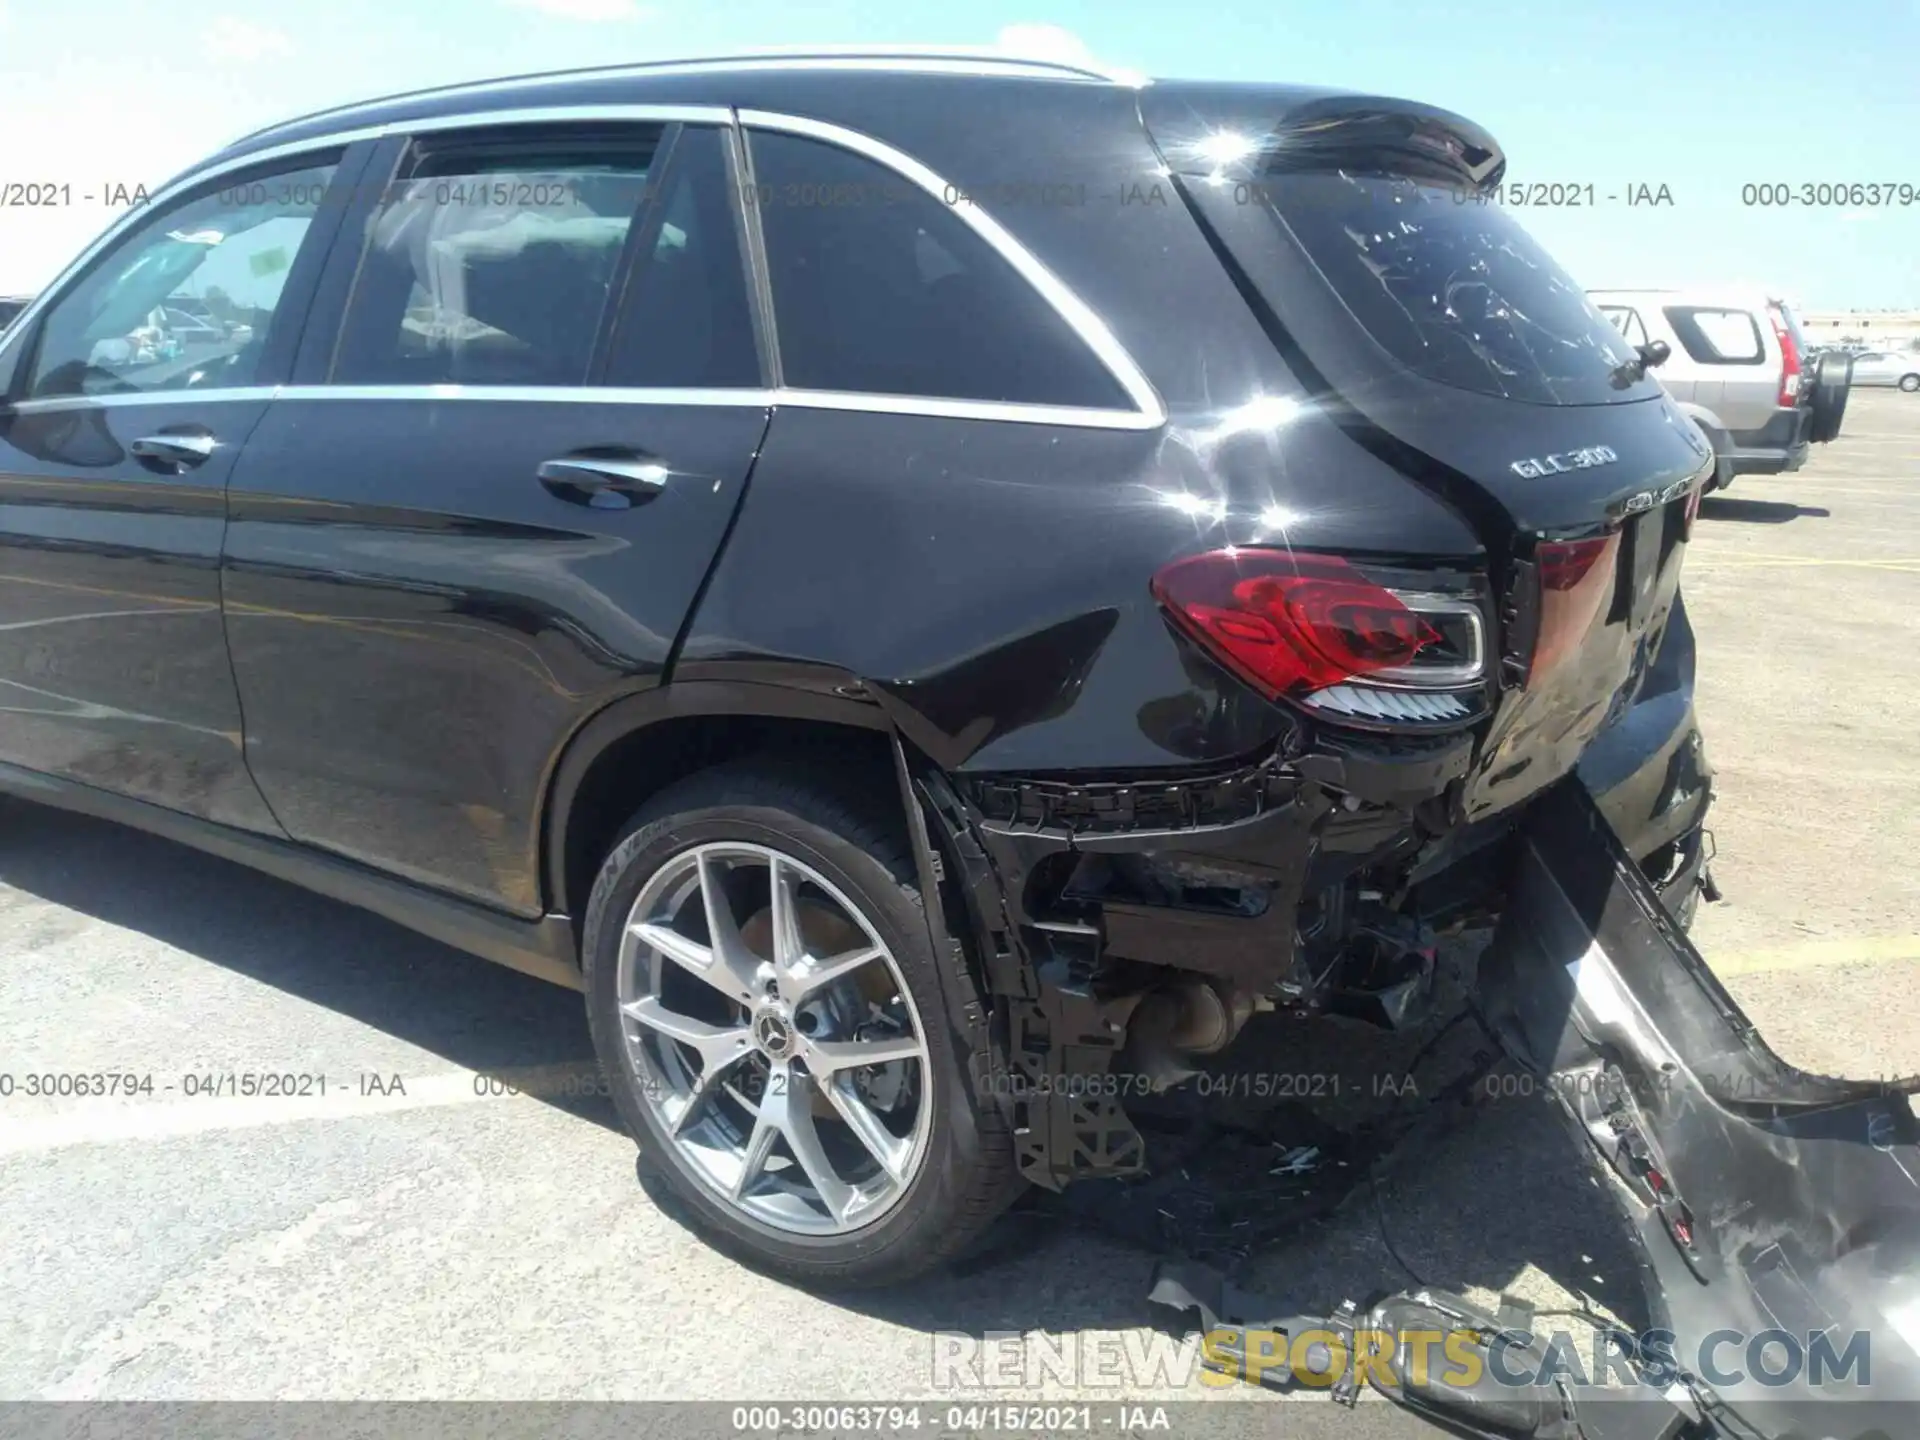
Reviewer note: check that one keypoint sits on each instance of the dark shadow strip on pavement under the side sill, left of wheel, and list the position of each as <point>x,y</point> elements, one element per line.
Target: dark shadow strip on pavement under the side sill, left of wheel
<point>469,1013</point>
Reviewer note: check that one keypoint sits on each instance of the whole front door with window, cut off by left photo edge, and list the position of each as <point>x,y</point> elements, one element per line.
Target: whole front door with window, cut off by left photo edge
<point>116,450</point>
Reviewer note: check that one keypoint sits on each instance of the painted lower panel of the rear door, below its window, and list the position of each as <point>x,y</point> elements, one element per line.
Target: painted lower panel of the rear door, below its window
<point>420,625</point>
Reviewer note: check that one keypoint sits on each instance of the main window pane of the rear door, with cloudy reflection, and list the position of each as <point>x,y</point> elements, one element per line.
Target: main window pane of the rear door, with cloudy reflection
<point>492,262</point>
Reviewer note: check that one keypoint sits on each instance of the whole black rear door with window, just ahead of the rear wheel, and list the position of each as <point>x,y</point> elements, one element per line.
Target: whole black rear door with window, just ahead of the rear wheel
<point>519,429</point>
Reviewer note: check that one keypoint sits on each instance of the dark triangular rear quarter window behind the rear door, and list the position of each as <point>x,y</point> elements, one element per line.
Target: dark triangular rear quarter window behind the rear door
<point>880,289</point>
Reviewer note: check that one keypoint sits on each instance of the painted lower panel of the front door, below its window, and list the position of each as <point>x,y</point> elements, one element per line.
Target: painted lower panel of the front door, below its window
<point>112,650</point>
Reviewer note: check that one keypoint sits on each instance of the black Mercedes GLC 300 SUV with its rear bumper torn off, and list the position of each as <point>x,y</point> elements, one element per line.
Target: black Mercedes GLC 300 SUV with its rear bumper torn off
<point>928,588</point>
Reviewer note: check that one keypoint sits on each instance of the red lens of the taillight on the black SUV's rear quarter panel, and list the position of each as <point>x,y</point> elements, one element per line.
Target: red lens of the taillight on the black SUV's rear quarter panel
<point>1291,623</point>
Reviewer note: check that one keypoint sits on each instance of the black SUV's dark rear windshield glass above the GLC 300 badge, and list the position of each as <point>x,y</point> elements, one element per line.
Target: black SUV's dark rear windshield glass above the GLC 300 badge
<point>1452,287</point>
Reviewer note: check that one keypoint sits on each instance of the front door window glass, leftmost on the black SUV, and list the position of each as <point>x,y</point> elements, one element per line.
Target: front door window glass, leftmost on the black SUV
<point>185,299</point>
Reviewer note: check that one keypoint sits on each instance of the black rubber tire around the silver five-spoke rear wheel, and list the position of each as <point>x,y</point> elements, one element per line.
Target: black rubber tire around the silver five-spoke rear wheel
<point>969,1174</point>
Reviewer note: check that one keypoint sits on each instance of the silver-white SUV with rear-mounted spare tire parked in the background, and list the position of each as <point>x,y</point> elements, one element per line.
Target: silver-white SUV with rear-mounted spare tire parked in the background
<point>1735,368</point>
